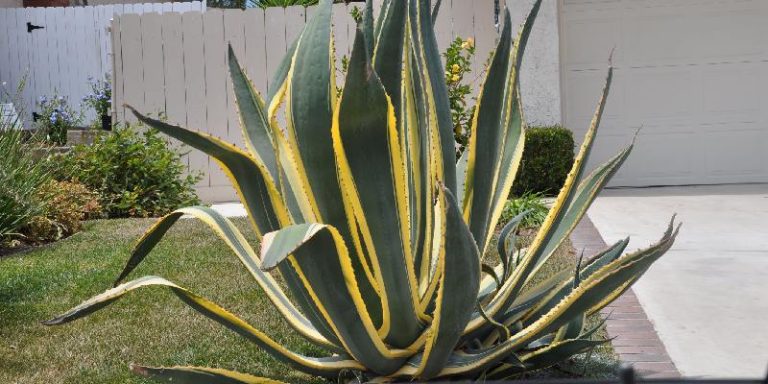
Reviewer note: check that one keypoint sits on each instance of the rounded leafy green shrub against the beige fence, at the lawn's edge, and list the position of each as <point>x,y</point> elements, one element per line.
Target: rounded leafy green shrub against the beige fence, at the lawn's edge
<point>135,173</point>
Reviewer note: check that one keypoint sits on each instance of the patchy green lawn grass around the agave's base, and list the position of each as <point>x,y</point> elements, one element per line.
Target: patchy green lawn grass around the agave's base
<point>150,326</point>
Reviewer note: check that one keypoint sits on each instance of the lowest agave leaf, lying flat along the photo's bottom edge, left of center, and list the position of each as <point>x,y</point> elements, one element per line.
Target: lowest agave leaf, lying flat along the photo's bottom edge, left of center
<point>196,375</point>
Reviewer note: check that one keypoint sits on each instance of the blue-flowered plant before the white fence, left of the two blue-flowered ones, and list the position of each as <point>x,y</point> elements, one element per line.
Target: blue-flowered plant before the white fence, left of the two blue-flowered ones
<point>55,117</point>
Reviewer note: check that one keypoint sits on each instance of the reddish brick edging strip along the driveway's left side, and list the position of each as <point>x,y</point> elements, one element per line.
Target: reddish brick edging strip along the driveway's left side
<point>634,338</point>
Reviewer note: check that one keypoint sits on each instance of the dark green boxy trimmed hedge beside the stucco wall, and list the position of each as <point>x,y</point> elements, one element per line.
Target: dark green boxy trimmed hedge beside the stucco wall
<point>547,159</point>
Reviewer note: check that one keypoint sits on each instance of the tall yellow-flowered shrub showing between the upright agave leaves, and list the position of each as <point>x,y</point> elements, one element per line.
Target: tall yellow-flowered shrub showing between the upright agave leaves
<point>458,59</point>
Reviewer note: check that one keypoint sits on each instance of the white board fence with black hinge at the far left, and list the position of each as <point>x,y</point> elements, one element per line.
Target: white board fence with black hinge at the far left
<point>74,44</point>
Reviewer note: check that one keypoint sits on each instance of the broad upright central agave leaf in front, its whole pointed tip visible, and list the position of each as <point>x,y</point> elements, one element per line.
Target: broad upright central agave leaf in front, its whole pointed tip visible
<point>365,137</point>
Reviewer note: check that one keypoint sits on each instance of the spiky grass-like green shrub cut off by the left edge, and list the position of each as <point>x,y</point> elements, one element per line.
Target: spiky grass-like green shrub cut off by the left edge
<point>21,175</point>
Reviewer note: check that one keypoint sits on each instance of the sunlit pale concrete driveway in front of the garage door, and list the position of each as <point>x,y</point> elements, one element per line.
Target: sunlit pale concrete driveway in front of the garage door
<point>708,297</point>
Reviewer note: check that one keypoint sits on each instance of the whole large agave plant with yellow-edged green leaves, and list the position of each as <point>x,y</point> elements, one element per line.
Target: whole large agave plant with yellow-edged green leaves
<point>378,232</point>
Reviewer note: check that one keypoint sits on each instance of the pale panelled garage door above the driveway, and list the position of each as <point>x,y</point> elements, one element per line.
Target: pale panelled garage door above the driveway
<point>692,73</point>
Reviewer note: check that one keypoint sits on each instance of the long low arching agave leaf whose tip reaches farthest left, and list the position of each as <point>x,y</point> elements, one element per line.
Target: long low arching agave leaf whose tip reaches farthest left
<point>326,366</point>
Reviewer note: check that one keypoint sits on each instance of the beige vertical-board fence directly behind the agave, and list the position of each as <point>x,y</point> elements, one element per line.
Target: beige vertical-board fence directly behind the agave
<point>176,63</point>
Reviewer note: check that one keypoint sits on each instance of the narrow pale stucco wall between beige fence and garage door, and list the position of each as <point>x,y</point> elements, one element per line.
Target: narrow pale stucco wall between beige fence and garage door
<point>540,76</point>
